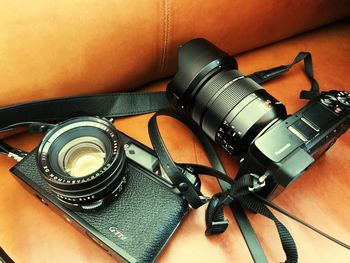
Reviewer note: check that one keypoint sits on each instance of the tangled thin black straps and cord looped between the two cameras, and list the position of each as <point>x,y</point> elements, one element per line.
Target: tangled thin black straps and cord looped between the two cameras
<point>235,192</point>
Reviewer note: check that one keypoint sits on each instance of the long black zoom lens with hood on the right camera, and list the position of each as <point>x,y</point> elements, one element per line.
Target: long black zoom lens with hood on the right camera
<point>231,108</point>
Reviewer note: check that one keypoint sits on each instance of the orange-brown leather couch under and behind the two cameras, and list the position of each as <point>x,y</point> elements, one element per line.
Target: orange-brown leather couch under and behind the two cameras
<point>53,49</point>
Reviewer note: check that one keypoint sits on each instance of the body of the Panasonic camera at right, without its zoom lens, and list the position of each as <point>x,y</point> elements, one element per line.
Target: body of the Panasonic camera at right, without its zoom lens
<point>287,148</point>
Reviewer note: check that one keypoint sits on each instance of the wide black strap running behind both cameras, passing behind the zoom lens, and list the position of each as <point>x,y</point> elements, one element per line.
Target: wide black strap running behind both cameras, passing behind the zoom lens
<point>125,104</point>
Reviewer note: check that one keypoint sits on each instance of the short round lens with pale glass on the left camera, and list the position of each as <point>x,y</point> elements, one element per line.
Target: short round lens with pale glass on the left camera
<point>84,163</point>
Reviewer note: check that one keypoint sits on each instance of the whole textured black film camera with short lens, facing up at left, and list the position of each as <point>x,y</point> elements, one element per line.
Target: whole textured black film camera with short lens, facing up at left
<point>82,165</point>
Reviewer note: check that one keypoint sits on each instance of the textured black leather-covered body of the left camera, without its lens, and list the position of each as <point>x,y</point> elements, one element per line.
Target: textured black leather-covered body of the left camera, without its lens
<point>133,228</point>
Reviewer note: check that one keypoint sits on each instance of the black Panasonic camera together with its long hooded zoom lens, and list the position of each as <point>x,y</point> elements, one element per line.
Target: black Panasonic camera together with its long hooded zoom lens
<point>236,112</point>
